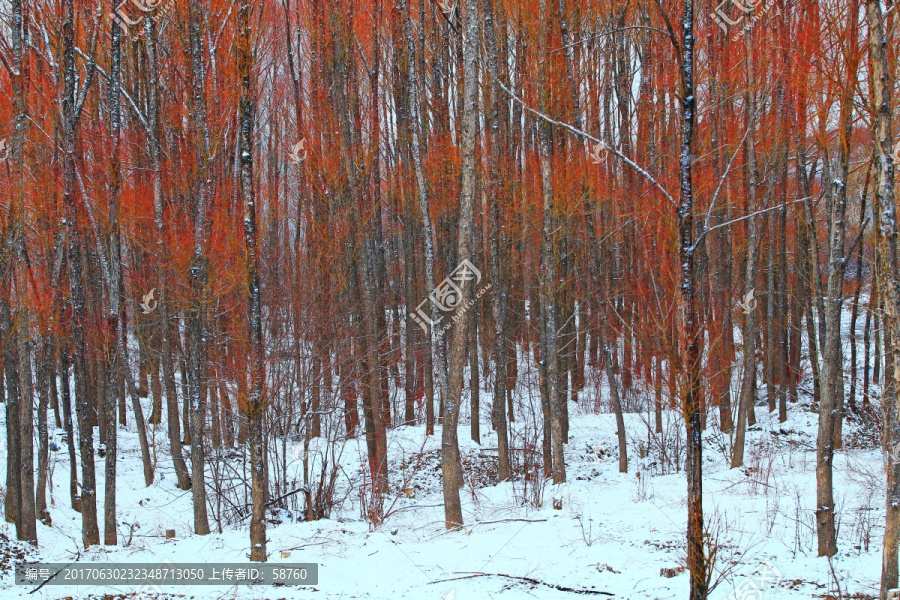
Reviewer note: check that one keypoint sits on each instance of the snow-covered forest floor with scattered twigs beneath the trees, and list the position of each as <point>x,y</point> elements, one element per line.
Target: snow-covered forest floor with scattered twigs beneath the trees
<point>612,537</point>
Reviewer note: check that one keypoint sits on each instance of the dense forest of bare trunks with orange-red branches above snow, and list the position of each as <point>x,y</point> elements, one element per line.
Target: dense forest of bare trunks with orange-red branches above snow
<point>282,220</point>
